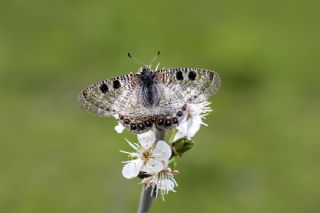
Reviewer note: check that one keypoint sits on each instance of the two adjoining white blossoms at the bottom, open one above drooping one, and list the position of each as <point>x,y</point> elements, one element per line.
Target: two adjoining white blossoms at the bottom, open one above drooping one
<point>151,158</point>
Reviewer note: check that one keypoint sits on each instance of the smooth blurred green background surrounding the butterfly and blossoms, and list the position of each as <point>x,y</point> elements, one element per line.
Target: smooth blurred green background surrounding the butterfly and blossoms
<point>260,152</point>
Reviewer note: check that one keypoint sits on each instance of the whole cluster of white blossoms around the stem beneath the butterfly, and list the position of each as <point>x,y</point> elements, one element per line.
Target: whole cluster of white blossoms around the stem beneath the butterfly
<point>150,158</point>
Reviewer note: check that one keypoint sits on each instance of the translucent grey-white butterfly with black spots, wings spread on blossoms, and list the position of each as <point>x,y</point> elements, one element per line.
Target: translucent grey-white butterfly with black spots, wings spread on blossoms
<point>148,98</point>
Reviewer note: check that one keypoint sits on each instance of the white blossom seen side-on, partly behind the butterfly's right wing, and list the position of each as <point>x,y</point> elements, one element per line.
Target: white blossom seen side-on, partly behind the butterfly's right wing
<point>190,125</point>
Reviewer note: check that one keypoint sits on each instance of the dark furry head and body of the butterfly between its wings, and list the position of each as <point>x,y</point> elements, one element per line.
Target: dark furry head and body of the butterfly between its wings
<point>150,92</point>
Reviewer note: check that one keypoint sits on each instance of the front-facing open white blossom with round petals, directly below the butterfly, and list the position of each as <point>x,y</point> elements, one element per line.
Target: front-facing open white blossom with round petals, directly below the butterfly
<point>149,157</point>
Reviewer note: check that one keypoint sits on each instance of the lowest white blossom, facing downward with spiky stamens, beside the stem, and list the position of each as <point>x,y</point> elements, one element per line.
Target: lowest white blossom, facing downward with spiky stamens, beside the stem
<point>162,181</point>
